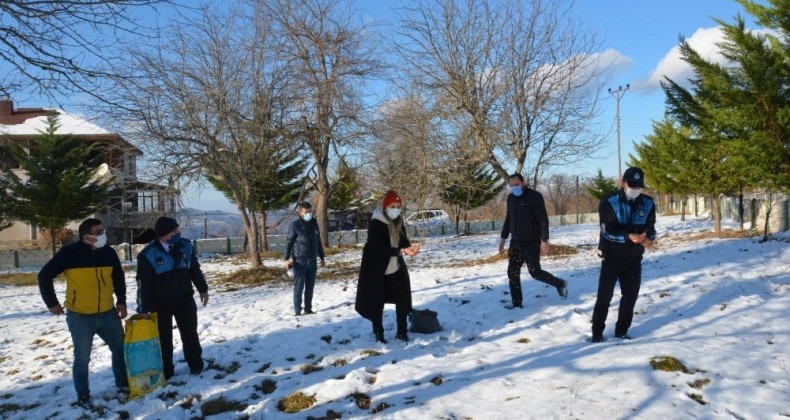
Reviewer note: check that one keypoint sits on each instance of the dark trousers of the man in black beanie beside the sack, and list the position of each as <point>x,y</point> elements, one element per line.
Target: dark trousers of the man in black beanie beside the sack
<point>185,313</point>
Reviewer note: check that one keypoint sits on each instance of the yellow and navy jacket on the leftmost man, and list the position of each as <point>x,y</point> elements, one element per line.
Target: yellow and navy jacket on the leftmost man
<point>91,278</point>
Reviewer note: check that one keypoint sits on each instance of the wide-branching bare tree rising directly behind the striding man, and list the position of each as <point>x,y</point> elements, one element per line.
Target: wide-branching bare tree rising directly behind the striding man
<point>524,77</point>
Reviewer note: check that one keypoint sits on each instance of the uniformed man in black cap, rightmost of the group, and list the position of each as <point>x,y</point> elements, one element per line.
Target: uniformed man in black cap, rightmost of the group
<point>628,220</point>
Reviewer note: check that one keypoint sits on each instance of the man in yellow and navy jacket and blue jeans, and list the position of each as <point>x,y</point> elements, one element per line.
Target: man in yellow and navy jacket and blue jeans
<point>93,273</point>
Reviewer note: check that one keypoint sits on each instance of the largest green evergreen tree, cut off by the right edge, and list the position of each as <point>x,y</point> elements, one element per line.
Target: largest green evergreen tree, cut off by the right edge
<point>739,112</point>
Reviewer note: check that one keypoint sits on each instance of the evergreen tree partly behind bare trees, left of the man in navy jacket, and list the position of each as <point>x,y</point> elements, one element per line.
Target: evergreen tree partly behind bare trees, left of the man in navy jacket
<point>276,183</point>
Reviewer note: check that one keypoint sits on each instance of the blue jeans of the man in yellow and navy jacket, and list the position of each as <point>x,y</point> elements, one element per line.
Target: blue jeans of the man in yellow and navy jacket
<point>82,328</point>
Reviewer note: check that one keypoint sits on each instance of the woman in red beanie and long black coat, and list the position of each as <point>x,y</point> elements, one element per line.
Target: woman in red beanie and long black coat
<point>383,276</point>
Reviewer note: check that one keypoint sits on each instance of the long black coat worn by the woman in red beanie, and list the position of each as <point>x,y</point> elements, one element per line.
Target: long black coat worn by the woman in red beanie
<point>372,292</point>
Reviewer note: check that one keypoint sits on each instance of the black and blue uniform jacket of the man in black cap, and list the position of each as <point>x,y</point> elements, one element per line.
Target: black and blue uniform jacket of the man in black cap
<point>619,218</point>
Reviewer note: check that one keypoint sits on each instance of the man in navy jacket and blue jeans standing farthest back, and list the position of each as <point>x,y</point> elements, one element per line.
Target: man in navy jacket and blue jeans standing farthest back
<point>302,249</point>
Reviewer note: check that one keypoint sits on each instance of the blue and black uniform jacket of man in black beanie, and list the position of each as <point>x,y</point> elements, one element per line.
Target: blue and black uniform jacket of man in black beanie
<point>164,278</point>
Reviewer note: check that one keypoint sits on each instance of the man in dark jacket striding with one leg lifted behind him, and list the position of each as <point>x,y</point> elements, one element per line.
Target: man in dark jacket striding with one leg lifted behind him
<point>527,223</point>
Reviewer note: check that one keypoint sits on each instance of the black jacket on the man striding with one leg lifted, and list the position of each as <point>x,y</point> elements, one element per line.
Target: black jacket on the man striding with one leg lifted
<point>526,219</point>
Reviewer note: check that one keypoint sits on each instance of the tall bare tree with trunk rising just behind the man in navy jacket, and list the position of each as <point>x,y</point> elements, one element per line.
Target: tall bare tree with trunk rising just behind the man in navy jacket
<point>330,53</point>
